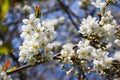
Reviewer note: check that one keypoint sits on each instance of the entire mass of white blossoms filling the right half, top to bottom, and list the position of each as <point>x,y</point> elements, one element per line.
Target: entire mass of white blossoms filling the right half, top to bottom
<point>100,38</point>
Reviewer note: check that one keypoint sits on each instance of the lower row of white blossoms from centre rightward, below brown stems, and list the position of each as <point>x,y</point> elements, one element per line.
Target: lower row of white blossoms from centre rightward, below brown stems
<point>86,51</point>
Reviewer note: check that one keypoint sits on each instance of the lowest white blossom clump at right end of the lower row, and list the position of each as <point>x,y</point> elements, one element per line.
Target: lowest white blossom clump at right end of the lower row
<point>101,60</point>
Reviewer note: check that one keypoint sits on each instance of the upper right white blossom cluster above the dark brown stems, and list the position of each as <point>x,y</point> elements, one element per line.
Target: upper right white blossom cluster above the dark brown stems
<point>105,28</point>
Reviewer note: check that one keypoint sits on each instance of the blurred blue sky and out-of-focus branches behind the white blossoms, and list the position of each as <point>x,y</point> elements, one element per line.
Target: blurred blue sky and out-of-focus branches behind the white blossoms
<point>65,15</point>
